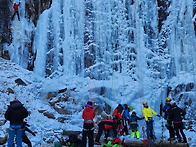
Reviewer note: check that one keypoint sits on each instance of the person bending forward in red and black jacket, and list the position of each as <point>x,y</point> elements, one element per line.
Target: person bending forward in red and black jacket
<point>105,125</point>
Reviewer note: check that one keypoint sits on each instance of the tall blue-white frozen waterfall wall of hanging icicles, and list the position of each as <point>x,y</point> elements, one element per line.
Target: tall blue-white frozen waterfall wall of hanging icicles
<point>110,36</point>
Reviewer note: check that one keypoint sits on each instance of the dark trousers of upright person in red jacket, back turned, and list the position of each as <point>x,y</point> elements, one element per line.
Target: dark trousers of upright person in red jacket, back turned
<point>88,131</point>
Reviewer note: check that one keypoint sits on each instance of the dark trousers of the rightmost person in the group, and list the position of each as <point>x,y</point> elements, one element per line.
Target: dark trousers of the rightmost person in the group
<point>179,127</point>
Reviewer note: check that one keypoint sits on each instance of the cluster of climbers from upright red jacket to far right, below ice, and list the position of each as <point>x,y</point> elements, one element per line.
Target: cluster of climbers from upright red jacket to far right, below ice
<point>121,121</point>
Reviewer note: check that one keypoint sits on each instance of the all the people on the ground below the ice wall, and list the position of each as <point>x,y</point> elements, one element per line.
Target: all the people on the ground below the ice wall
<point>120,122</point>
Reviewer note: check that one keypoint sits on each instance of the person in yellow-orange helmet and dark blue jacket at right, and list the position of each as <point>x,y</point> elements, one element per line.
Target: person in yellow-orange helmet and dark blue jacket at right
<point>166,109</point>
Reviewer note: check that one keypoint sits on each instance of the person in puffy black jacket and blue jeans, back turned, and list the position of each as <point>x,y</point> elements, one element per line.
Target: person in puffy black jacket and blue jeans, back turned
<point>15,113</point>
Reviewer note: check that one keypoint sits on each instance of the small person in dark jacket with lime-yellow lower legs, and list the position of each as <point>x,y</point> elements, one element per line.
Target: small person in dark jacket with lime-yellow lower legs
<point>134,125</point>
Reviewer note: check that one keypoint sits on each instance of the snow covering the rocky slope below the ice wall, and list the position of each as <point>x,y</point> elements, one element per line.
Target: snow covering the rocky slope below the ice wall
<point>33,98</point>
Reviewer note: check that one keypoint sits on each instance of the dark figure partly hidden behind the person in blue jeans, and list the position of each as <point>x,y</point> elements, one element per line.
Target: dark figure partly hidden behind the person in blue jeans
<point>25,139</point>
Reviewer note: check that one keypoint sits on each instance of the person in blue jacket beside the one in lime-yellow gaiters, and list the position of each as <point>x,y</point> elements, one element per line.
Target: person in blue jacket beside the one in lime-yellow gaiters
<point>125,118</point>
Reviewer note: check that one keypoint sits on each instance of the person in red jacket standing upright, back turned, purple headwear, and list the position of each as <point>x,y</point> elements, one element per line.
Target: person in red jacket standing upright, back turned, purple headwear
<point>88,126</point>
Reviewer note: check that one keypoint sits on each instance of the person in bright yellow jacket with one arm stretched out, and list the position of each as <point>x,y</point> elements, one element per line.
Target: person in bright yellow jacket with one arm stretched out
<point>148,115</point>
